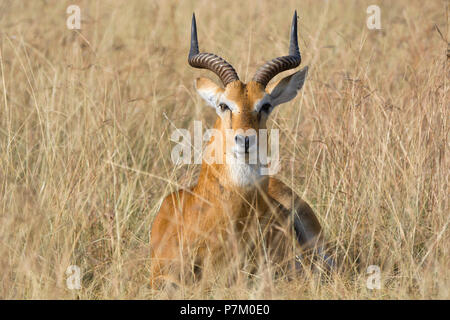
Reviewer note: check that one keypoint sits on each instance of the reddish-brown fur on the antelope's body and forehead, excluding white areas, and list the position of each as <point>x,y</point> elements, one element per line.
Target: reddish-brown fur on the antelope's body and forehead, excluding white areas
<point>213,218</point>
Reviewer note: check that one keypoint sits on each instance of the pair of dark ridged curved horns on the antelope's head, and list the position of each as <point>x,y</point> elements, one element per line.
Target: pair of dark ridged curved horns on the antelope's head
<point>226,72</point>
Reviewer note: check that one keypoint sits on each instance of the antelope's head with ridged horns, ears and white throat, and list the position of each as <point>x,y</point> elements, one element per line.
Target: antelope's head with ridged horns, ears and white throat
<point>245,108</point>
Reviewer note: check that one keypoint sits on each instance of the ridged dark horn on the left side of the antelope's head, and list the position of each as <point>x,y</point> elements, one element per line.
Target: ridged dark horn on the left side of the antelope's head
<point>216,64</point>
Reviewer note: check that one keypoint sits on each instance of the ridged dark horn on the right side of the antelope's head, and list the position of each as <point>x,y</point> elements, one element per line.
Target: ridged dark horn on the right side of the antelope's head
<point>273,67</point>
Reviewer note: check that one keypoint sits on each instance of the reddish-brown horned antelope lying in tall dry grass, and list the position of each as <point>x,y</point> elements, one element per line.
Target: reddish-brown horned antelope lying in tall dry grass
<point>233,207</point>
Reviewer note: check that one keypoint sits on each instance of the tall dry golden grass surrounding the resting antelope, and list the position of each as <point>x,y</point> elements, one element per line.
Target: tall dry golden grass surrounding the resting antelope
<point>86,118</point>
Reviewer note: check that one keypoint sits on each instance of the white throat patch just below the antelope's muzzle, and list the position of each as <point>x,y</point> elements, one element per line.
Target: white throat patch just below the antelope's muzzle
<point>243,175</point>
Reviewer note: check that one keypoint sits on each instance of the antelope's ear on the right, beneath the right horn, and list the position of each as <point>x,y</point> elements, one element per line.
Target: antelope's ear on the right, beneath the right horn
<point>286,89</point>
